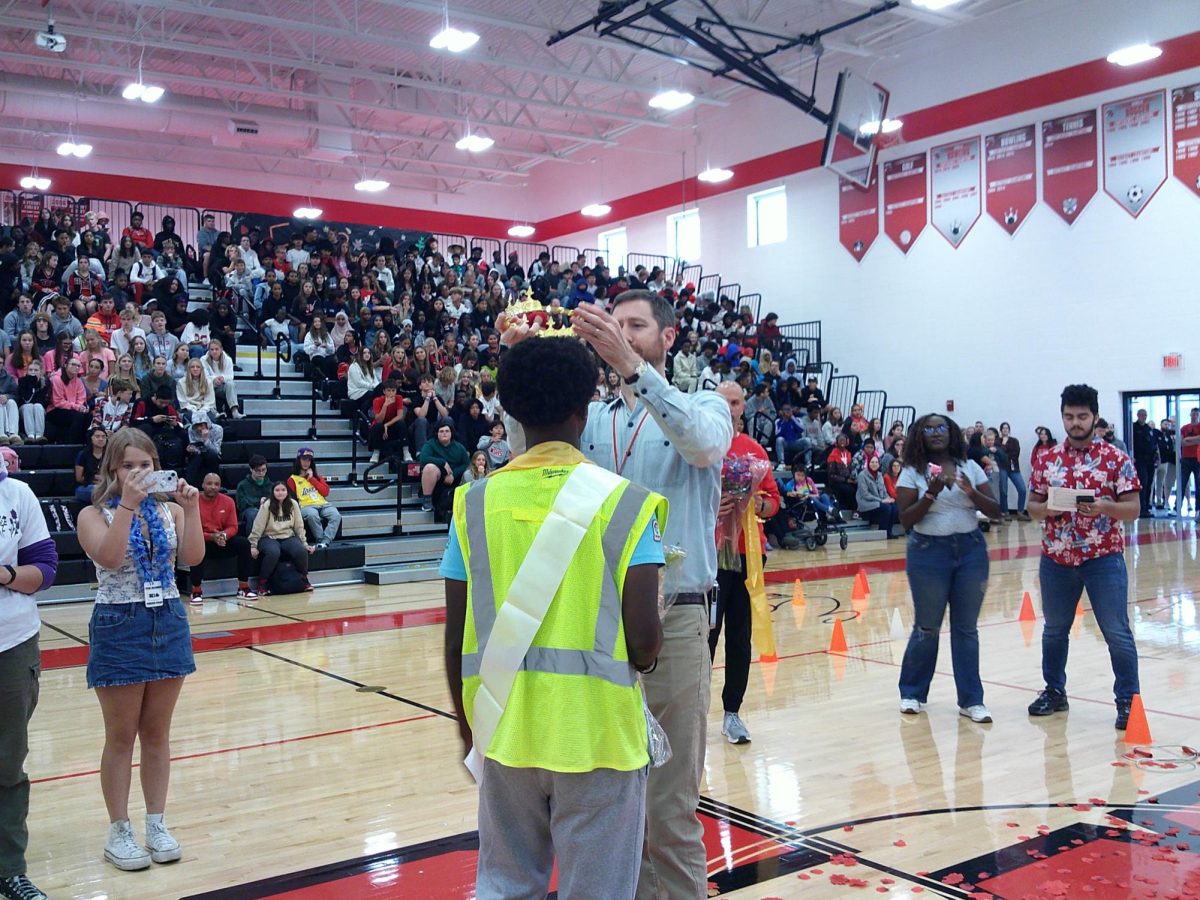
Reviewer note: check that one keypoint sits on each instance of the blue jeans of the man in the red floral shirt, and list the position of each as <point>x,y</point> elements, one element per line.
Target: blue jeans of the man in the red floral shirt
<point>1108,587</point>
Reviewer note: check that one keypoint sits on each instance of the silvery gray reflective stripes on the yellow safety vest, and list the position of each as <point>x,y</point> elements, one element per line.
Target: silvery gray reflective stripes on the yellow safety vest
<point>598,663</point>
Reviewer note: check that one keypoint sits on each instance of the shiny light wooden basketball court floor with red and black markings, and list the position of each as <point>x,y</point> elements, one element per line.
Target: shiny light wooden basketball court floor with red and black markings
<point>315,757</point>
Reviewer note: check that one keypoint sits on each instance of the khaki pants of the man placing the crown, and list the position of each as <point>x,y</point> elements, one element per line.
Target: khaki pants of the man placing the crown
<point>674,859</point>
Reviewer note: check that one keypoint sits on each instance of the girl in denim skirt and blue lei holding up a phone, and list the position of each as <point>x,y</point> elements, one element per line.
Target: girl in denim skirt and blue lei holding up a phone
<point>141,646</point>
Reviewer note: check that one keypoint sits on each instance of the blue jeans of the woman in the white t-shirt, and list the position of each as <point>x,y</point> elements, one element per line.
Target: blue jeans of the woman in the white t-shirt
<point>950,571</point>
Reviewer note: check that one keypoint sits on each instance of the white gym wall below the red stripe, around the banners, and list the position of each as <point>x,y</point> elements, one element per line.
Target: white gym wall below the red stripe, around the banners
<point>999,326</point>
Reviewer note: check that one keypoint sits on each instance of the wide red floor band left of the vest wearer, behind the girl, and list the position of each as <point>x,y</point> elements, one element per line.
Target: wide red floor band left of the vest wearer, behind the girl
<point>283,633</point>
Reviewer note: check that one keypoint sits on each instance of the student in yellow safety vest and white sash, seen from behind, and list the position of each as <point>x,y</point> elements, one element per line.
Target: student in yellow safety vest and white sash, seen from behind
<point>551,584</point>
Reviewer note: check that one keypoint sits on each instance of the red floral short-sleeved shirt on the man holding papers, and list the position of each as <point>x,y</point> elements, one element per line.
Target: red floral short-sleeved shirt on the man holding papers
<point>1070,538</point>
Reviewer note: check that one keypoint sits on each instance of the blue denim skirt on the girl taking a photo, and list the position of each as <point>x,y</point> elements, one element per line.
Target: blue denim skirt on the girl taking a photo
<point>131,644</point>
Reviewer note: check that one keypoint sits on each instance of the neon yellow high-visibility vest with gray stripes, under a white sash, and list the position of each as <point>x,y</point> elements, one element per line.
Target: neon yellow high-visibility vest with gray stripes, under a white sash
<point>575,705</point>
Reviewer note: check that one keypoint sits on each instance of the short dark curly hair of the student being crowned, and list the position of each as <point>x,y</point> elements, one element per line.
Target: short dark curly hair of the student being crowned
<point>545,381</point>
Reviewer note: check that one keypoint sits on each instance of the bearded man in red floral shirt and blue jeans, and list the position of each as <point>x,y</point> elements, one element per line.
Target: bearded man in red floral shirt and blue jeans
<point>1085,549</point>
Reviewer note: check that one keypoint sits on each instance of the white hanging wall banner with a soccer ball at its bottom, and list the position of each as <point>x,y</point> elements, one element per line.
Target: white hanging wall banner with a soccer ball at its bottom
<point>1135,149</point>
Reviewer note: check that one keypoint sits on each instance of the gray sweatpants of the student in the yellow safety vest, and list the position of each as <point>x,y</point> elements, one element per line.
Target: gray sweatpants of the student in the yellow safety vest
<point>593,821</point>
